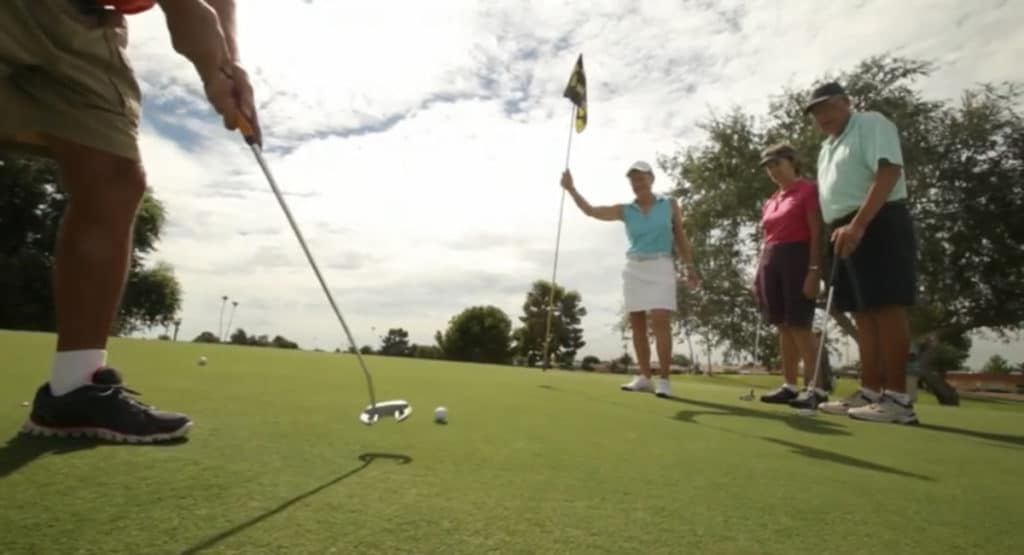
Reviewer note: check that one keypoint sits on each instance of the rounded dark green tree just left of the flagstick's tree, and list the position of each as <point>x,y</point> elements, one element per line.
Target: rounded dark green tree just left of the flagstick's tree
<point>479,334</point>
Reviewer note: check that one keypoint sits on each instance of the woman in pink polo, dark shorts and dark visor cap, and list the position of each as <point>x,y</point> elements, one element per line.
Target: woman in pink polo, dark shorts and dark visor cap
<point>789,273</point>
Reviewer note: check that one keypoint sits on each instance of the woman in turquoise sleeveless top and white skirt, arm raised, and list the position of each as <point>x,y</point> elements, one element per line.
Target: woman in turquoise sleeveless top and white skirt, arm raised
<point>655,229</point>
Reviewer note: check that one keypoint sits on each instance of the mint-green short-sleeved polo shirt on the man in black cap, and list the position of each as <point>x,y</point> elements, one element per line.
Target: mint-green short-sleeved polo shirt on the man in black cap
<point>847,164</point>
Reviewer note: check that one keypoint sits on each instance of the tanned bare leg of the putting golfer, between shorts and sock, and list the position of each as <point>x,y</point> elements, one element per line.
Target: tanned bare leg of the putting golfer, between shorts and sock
<point>95,243</point>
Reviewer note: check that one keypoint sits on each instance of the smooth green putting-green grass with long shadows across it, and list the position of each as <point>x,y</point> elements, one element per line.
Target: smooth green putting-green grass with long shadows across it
<point>531,462</point>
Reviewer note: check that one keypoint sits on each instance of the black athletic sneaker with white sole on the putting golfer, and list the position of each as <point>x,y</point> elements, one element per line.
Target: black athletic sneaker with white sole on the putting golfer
<point>103,410</point>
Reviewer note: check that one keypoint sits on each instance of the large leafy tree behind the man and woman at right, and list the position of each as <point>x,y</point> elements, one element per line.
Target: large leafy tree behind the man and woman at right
<point>964,163</point>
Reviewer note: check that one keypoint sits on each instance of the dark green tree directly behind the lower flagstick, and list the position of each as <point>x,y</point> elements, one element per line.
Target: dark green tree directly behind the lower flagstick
<point>567,334</point>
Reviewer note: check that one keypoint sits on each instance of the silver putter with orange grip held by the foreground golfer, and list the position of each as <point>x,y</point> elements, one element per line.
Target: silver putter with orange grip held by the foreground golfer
<point>400,410</point>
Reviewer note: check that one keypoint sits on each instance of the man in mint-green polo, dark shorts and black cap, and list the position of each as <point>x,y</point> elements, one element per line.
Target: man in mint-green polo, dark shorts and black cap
<point>863,193</point>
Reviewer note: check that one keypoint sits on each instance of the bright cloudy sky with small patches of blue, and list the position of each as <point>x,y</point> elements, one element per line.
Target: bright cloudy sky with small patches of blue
<point>420,144</point>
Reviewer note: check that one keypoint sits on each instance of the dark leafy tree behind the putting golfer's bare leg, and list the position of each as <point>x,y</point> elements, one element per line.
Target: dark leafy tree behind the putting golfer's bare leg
<point>31,206</point>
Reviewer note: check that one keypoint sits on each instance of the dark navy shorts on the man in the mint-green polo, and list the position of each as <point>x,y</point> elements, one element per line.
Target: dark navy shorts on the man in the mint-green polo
<point>882,271</point>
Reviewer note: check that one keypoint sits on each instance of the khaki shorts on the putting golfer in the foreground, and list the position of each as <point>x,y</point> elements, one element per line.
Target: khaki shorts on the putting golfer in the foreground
<point>65,73</point>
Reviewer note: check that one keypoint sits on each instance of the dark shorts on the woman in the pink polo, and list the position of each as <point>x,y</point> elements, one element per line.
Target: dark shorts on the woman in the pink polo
<point>781,281</point>
